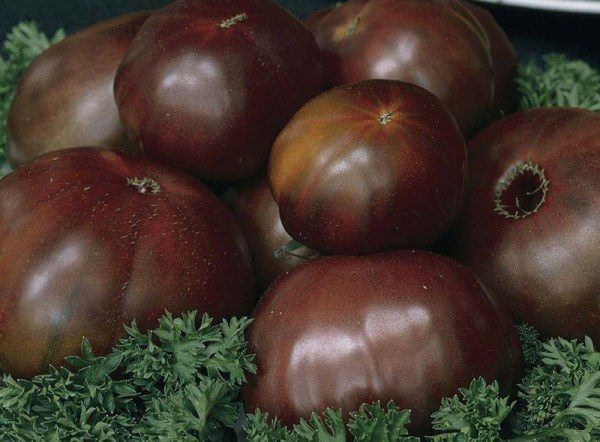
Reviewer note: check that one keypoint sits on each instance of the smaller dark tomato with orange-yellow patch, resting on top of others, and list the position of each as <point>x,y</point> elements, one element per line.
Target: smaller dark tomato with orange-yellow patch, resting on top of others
<point>367,167</point>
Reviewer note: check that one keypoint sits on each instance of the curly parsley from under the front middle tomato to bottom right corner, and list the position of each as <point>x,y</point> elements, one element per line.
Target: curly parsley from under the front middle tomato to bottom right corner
<point>559,400</point>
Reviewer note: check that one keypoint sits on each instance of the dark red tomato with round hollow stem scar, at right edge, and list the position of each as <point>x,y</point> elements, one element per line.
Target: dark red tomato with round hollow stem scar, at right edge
<point>531,226</point>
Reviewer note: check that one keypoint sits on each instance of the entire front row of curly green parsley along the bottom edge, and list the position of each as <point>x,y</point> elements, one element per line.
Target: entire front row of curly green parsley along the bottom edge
<point>182,381</point>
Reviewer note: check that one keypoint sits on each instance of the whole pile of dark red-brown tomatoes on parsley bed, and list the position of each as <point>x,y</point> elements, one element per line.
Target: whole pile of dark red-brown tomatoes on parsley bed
<point>350,131</point>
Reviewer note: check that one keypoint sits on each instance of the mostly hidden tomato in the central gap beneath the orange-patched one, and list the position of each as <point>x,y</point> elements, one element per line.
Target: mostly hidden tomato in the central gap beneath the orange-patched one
<point>258,215</point>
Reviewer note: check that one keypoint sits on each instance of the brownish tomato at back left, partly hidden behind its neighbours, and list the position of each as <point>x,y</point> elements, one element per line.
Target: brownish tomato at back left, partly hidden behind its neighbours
<point>65,98</point>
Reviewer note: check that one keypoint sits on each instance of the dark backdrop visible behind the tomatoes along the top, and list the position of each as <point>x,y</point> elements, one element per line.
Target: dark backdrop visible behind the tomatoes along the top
<point>534,33</point>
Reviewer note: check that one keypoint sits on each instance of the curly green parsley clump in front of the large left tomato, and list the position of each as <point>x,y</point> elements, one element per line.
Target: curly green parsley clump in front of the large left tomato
<point>179,382</point>
